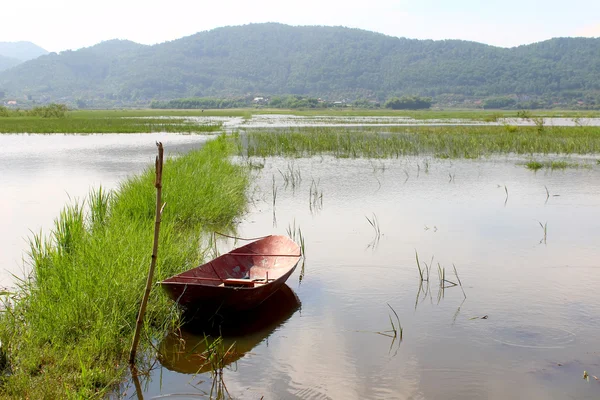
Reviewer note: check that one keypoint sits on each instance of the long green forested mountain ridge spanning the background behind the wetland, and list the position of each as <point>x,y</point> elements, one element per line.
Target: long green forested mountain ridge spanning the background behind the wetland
<point>328,62</point>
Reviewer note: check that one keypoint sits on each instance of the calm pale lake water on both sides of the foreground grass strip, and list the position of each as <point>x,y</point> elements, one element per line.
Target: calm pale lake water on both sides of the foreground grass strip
<point>527,328</point>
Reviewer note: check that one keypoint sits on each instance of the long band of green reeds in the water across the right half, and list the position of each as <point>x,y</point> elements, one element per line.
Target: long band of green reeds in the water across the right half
<point>441,141</point>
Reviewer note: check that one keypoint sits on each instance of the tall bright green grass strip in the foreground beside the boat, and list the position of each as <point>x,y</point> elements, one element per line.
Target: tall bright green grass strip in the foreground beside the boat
<point>67,331</point>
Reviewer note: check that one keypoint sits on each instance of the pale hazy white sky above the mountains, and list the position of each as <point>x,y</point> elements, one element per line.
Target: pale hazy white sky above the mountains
<point>71,24</point>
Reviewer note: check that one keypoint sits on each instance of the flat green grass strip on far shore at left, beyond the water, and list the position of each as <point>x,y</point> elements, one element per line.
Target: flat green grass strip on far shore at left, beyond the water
<point>101,123</point>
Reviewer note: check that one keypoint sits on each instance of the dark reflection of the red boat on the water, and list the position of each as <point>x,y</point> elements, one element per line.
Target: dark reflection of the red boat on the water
<point>205,346</point>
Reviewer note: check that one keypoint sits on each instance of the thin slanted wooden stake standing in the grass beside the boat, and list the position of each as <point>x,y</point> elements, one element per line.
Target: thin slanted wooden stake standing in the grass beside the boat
<point>159,210</point>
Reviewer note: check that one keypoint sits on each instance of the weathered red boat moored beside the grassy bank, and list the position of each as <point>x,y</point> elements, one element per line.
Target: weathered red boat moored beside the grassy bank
<point>236,281</point>
